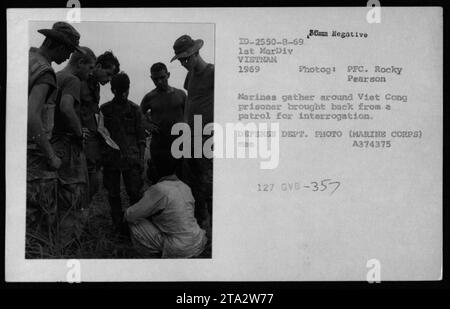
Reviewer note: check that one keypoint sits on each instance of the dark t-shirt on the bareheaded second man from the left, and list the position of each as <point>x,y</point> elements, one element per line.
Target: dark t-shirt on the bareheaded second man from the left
<point>68,84</point>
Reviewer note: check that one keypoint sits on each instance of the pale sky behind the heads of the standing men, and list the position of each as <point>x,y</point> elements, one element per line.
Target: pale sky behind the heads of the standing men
<point>137,46</point>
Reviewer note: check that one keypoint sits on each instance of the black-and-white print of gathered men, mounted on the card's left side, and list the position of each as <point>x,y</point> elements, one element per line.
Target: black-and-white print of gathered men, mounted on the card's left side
<point>102,180</point>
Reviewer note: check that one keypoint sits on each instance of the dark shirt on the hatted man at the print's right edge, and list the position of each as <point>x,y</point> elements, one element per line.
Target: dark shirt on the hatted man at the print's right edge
<point>200,99</point>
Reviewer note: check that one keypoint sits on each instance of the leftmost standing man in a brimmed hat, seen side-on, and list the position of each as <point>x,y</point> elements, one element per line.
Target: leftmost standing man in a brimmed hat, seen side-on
<point>42,161</point>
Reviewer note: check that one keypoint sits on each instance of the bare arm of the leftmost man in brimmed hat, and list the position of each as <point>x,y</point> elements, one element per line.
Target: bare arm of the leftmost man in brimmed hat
<point>36,101</point>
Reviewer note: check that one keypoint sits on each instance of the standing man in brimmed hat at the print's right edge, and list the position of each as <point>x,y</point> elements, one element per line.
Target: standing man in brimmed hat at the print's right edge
<point>199,83</point>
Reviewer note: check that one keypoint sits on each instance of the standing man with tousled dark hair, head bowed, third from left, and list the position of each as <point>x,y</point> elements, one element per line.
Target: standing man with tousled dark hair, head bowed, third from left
<point>105,68</point>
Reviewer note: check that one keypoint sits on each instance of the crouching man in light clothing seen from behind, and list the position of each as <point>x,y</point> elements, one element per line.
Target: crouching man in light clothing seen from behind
<point>162,223</point>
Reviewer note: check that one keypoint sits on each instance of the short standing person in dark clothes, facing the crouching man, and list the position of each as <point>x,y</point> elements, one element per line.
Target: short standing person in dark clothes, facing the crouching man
<point>123,120</point>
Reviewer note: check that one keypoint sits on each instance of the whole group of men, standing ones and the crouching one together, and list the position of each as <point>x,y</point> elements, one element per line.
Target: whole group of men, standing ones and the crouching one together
<point>72,139</point>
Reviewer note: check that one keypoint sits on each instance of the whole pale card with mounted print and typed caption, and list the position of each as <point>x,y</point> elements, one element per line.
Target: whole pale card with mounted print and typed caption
<point>224,144</point>
